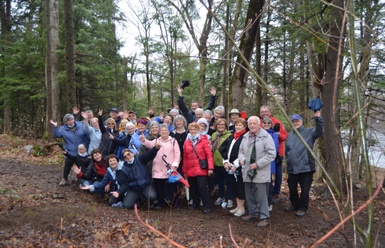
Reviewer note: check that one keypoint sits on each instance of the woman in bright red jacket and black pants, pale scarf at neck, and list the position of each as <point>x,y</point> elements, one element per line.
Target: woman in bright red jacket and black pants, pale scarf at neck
<point>197,147</point>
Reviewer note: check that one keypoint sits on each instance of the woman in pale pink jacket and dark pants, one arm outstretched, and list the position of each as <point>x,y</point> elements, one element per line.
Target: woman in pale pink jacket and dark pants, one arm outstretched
<point>169,152</point>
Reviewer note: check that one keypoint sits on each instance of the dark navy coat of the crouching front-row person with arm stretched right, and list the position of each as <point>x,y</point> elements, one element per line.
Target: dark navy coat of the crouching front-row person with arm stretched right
<point>135,176</point>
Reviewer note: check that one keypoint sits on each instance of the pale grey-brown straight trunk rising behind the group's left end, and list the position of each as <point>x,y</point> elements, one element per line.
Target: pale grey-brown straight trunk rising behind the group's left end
<point>52,40</point>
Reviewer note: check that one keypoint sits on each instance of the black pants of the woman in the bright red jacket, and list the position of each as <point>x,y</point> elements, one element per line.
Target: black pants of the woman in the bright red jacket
<point>198,189</point>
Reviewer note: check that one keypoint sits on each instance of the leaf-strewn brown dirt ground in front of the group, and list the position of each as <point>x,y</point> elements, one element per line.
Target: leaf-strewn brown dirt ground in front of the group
<point>36,212</point>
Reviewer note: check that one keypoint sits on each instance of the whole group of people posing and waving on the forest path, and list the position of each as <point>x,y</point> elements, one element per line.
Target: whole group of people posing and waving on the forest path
<point>133,160</point>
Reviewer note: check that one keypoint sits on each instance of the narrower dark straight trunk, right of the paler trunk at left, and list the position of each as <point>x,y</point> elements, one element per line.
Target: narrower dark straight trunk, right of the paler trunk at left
<point>70,55</point>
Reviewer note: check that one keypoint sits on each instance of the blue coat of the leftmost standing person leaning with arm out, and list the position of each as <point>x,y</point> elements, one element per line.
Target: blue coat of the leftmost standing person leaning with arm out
<point>72,138</point>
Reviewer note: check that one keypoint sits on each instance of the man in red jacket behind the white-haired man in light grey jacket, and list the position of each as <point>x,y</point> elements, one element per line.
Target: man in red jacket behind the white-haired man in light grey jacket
<point>264,111</point>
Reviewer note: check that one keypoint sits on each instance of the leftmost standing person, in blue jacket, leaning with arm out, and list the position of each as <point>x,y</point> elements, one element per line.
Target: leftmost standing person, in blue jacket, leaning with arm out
<point>74,134</point>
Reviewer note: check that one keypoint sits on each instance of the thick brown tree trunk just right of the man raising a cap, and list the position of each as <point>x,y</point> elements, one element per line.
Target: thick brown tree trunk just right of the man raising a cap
<point>333,78</point>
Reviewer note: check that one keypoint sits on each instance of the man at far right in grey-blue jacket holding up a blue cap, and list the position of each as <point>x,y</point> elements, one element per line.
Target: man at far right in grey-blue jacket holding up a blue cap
<point>300,165</point>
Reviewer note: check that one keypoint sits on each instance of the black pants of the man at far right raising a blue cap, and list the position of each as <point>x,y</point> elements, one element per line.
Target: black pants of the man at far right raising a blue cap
<point>300,202</point>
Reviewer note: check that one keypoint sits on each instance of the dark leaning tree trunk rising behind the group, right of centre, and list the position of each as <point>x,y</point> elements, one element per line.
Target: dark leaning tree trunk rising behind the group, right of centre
<point>246,48</point>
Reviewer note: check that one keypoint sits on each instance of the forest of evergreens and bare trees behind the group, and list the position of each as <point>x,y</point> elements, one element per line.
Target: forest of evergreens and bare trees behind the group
<point>55,55</point>
